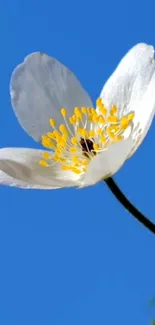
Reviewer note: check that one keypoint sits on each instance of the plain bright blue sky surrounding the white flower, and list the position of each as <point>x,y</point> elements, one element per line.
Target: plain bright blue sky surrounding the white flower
<point>71,257</point>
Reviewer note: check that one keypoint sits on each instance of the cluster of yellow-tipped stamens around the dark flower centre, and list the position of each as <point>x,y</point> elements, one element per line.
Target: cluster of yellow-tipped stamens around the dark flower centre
<point>84,134</point>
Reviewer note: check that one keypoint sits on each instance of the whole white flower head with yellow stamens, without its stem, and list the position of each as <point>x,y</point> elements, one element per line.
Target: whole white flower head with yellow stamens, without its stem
<point>83,144</point>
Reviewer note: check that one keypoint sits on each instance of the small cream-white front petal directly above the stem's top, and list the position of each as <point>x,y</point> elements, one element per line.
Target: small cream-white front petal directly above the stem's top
<point>107,163</point>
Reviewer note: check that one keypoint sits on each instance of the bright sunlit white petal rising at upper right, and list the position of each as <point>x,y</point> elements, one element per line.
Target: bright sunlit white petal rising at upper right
<point>132,88</point>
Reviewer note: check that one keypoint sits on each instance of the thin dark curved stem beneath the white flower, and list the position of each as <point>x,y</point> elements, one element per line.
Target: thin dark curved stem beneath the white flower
<point>128,205</point>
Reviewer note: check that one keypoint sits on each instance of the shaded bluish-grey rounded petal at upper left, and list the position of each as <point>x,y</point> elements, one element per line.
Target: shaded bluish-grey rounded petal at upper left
<point>40,87</point>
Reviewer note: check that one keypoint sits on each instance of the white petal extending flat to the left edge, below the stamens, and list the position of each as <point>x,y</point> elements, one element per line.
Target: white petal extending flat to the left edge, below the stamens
<point>20,167</point>
